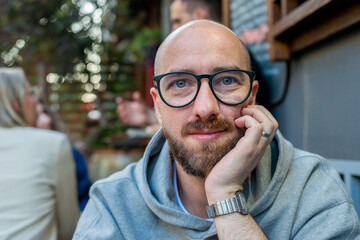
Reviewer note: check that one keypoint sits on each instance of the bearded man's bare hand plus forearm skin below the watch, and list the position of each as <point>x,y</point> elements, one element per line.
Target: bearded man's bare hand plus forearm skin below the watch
<point>228,176</point>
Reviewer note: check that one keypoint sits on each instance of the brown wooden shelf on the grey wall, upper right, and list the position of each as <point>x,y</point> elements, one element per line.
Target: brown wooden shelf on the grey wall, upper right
<point>307,24</point>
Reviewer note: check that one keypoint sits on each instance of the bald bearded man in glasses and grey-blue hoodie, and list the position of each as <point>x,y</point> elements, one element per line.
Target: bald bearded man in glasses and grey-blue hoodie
<point>218,168</point>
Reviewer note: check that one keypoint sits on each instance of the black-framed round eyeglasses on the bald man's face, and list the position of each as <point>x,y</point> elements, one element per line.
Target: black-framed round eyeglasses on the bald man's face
<point>179,89</point>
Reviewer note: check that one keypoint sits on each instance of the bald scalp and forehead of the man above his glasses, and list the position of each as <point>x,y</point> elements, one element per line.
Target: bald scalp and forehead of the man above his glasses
<point>205,40</point>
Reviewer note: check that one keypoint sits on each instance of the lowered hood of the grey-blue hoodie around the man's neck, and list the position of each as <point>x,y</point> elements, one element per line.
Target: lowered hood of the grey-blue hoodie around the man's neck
<point>154,176</point>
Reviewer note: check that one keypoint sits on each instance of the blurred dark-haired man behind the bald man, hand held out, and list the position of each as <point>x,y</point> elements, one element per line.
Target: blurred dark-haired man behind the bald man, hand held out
<point>136,113</point>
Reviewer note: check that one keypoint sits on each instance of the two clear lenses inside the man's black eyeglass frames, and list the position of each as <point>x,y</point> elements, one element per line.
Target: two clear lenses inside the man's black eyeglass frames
<point>231,87</point>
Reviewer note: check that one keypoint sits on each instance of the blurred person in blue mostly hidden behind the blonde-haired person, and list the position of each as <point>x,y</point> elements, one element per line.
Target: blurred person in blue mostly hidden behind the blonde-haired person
<point>47,119</point>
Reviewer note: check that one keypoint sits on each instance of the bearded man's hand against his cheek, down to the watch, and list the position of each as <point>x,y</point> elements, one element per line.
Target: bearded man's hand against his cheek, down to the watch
<point>228,176</point>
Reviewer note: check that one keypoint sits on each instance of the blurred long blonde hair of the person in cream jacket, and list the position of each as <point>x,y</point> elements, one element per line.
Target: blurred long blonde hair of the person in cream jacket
<point>12,89</point>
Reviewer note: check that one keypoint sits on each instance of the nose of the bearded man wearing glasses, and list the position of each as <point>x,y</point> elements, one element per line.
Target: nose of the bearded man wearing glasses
<point>206,105</point>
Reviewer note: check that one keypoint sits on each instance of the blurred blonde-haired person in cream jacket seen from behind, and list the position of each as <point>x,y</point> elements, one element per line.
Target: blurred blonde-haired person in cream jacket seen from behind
<point>37,174</point>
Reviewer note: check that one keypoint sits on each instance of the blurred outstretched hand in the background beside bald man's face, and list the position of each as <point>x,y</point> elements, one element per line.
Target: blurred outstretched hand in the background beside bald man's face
<point>132,113</point>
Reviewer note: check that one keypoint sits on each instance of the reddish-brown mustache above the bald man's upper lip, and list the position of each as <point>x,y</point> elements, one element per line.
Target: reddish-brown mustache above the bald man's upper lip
<point>208,124</point>
